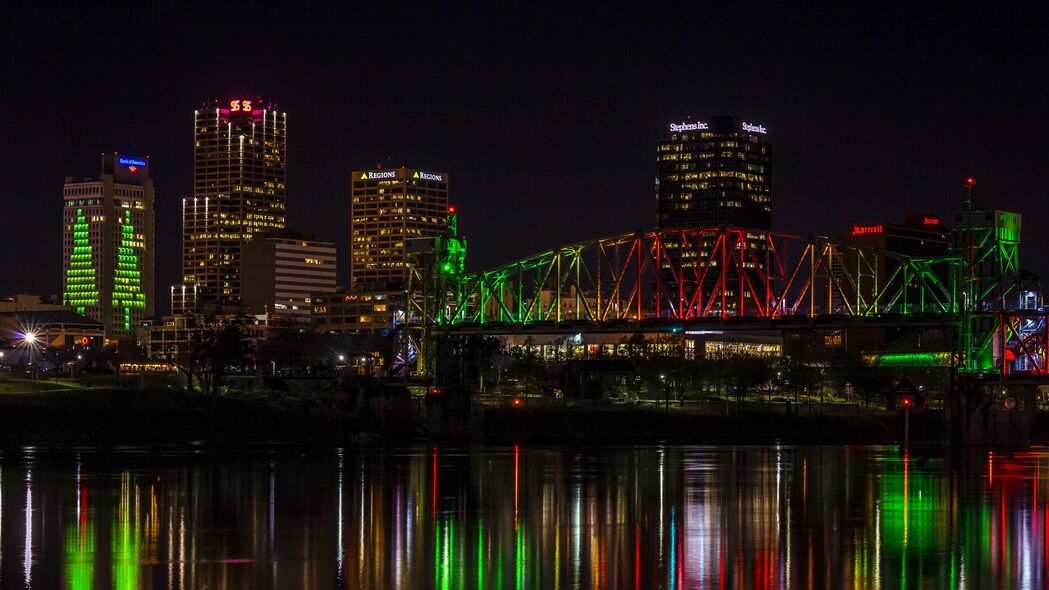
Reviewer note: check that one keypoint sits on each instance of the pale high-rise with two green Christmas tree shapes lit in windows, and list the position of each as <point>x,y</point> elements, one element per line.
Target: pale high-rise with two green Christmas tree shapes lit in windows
<point>109,234</point>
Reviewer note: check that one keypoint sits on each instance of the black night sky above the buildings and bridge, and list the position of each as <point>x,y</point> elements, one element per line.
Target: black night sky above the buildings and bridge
<point>545,117</point>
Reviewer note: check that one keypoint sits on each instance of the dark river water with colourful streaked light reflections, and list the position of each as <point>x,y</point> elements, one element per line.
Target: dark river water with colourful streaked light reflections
<point>498,518</point>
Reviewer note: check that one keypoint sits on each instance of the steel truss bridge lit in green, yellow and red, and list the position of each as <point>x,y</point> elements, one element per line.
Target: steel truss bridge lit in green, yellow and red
<point>747,280</point>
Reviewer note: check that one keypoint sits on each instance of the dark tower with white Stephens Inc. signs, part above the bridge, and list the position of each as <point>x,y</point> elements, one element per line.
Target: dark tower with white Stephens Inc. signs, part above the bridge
<point>715,172</point>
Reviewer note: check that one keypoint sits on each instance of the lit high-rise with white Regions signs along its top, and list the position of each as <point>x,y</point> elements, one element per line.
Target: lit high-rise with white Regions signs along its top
<point>388,208</point>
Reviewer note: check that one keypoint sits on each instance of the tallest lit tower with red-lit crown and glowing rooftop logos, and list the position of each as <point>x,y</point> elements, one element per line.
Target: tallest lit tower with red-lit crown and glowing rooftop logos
<point>239,189</point>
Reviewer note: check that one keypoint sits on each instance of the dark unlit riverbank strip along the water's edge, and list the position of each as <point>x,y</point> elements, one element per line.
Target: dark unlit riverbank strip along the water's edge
<point>133,416</point>
